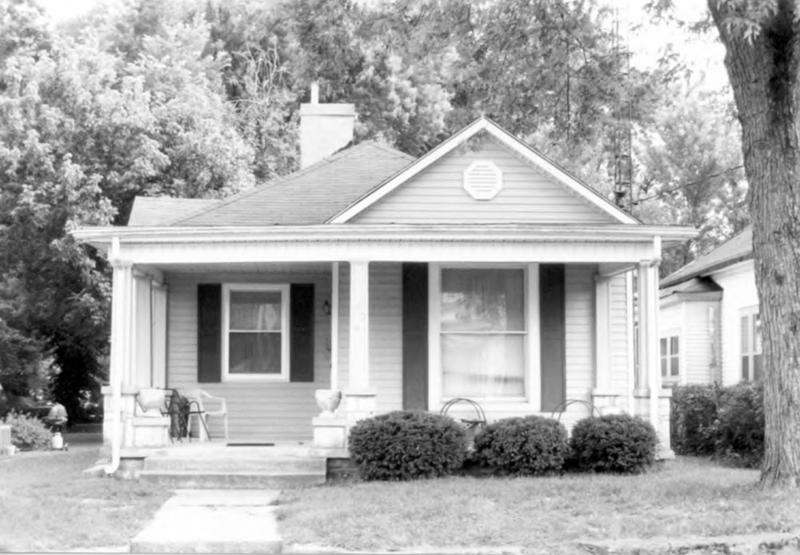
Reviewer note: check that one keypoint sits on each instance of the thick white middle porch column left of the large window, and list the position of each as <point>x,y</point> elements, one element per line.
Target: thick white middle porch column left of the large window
<point>359,399</point>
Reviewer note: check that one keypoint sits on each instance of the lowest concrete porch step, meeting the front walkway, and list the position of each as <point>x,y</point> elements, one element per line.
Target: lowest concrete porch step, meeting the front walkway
<point>236,479</point>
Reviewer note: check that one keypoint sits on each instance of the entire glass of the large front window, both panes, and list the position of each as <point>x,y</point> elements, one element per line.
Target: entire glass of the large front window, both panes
<point>482,333</point>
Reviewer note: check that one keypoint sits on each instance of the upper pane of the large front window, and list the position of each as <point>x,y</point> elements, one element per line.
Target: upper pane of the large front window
<point>482,300</point>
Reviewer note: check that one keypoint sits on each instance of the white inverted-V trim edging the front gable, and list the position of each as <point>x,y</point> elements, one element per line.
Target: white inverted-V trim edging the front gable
<point>484,125</point>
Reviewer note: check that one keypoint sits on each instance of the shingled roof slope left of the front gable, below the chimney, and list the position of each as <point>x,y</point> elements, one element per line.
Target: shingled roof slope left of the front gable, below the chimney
<point>310,196</point>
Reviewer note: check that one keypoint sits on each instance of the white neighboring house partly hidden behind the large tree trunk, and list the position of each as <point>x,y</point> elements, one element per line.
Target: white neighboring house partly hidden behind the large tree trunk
<point>709,323</point>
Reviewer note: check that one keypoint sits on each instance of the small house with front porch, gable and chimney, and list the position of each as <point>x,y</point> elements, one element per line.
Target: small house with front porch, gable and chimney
<point>479,270</point>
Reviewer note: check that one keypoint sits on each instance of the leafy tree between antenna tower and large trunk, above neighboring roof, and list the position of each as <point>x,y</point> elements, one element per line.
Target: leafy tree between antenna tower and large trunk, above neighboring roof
<point>689,171</point>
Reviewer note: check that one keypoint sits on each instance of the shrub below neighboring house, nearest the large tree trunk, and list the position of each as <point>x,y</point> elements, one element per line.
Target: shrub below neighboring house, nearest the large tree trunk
<point>740,425</point>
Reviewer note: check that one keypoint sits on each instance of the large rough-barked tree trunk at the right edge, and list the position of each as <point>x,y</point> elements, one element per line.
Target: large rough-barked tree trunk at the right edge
<point>762,64</point>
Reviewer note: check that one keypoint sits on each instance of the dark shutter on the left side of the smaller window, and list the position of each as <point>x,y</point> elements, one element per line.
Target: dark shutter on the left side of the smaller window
<point>209,333</point>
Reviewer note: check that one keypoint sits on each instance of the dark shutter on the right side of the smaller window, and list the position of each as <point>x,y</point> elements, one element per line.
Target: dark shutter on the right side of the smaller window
<point>301,340</point>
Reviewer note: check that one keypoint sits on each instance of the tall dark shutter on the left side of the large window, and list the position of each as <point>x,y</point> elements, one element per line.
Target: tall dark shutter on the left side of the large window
<point>415,336</point>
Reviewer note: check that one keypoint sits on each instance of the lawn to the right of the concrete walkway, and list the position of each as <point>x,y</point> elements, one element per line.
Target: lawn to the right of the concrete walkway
<point>543,515</point>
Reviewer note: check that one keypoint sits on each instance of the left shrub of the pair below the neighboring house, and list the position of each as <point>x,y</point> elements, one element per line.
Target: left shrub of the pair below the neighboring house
<point>693,418</point>
